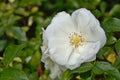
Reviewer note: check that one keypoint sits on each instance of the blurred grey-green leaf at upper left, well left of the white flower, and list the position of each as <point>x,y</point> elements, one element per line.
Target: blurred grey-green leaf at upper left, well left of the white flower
<point>19,33</point>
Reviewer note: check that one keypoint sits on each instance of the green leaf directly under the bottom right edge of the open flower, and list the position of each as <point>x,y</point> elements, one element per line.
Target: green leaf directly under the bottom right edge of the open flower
<point>83,68</point>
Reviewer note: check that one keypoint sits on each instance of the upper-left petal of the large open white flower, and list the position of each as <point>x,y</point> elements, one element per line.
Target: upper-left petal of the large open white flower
<point>60,26</point>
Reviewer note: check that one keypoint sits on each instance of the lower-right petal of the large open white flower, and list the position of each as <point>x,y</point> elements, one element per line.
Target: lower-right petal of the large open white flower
<point>84,53</point>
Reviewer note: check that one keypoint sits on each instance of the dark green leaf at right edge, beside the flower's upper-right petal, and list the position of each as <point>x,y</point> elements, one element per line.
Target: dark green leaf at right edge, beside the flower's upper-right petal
<point>111,25</point>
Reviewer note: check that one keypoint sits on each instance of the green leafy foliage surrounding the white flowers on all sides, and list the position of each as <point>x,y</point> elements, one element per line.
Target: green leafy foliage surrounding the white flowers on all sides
<point>21,23</point>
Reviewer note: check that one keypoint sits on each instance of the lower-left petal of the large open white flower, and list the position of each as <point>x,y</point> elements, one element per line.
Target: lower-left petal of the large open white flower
<point>60,53</point>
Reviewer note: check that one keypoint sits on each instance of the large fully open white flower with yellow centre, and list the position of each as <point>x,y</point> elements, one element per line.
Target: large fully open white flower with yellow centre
<point>75,39</point>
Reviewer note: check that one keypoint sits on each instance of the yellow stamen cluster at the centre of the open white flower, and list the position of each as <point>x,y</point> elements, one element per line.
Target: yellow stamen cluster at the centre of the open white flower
<point>75,40</point>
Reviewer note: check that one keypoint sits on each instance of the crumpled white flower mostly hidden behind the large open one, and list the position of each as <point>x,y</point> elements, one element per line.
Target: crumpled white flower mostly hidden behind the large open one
<point>55,69</point>
